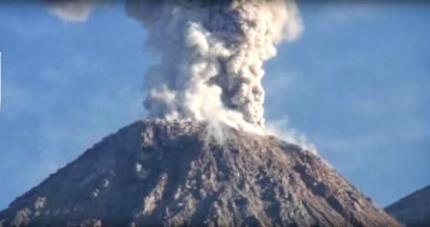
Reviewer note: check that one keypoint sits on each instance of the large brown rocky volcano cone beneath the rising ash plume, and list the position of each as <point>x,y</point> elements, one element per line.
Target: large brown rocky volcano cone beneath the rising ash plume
<point>154,172</point>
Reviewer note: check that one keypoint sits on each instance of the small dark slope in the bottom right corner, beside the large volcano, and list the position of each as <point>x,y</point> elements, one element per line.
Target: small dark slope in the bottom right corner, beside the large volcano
<point>414,209</point>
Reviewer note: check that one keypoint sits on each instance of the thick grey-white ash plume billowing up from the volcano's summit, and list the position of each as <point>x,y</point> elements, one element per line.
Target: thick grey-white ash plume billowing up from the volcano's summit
<point>212,55</point>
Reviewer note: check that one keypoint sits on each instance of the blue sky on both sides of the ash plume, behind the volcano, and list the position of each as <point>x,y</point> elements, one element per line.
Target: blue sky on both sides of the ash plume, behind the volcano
<point>357,84</point>
